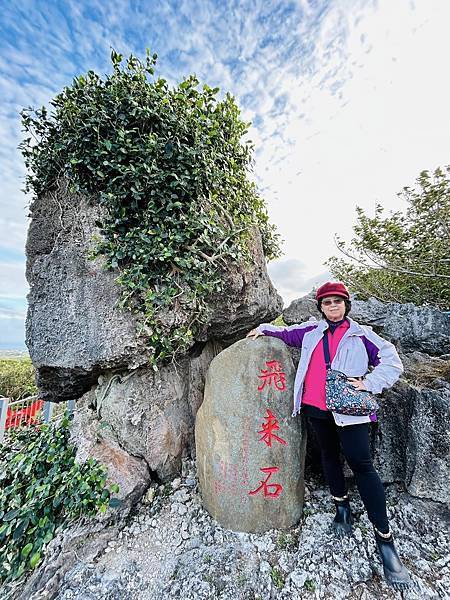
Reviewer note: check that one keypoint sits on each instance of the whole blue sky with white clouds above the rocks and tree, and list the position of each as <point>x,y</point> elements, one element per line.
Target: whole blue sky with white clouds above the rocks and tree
<point>348,99</point>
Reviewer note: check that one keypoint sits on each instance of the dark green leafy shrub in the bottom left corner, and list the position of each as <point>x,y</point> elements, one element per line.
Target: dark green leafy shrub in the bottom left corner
<point>42,489</point>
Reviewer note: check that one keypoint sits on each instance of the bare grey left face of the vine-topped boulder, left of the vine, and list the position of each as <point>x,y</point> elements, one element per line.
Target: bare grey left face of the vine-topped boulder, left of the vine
<point>74,330</point>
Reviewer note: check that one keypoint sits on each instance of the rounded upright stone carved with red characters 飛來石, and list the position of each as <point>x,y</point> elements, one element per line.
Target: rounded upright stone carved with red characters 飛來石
<point>251,471</point>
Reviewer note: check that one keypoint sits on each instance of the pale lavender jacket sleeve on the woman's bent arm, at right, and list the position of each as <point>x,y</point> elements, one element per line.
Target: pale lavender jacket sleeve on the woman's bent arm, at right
<point>388,366</point>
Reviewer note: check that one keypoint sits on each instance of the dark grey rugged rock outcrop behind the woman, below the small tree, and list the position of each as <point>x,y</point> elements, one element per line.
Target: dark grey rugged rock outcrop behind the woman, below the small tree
<point>411,442</point>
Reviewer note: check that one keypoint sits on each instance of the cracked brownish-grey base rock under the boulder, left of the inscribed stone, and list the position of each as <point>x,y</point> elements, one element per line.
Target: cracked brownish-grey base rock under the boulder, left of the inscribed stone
<point>149,415</point>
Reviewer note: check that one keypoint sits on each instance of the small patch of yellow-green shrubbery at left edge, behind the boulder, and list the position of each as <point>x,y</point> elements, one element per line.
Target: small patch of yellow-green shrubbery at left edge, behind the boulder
<point>17,378</point>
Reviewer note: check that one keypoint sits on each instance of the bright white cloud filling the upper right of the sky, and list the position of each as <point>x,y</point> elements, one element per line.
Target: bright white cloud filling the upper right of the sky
<point>359,145</point>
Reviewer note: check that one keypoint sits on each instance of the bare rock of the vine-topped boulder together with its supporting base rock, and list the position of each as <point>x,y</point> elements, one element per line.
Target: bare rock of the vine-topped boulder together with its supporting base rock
<point>85,348</point>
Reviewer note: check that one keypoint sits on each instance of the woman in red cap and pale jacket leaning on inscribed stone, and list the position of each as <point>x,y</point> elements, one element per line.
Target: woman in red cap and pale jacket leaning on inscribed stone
<point>353,348</point>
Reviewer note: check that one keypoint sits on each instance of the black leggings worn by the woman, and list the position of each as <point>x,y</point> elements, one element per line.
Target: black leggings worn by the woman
<point>354,441</point>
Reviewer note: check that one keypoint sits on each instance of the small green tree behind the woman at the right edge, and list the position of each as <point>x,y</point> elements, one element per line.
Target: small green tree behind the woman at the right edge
<point>404,256</point>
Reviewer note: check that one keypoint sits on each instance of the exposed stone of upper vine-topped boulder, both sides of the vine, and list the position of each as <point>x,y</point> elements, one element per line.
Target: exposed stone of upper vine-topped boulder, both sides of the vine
<point>75,330</point>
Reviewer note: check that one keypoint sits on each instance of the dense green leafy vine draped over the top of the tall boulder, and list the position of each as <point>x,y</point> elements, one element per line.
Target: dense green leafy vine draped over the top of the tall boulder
<point>171,169</point>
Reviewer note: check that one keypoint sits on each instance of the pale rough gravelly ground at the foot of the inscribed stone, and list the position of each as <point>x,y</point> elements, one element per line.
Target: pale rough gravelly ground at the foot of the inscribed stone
<point>172,548</point>
